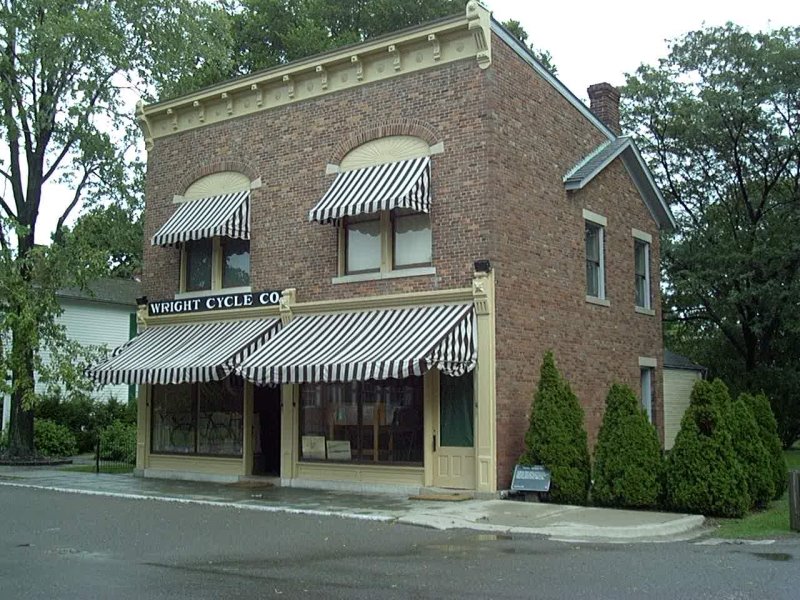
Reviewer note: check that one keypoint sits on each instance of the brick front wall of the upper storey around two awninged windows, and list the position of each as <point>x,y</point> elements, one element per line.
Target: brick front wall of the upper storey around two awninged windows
<point>289,148</point>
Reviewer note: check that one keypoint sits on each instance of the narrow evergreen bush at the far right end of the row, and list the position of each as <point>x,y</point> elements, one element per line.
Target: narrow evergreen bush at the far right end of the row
<point>751,453</point>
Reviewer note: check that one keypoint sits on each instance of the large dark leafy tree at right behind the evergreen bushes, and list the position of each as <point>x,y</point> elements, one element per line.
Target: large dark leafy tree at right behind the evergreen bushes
<point>719,120</point>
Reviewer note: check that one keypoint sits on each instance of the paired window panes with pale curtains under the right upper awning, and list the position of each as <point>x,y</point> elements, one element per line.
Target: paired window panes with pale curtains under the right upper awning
<point>389,241</point>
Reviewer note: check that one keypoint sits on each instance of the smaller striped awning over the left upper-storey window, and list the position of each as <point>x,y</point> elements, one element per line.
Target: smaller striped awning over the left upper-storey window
<point>226,215</point>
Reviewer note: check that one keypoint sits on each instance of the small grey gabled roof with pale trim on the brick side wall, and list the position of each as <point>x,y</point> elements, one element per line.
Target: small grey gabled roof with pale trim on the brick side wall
<point>594,163</point>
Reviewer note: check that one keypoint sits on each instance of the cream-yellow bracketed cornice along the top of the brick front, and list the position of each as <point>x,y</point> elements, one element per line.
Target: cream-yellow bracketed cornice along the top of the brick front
<point>407,51</point>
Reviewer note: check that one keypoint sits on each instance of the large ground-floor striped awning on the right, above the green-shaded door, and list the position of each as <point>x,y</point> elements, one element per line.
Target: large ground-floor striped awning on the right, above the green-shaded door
<point>358,346</point>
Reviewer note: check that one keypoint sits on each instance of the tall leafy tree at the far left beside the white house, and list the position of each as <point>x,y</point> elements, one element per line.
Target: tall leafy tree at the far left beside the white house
<point>64,68</point>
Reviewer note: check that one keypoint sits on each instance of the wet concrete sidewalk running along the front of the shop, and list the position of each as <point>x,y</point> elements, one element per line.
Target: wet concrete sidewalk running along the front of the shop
<point>569,523</point>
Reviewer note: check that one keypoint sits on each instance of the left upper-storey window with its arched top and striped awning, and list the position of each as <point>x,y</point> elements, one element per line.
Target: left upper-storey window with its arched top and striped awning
<point>211,226</point>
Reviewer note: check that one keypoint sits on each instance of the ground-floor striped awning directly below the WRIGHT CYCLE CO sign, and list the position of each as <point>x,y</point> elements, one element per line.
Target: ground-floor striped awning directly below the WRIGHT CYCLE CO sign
<point>193,353</point>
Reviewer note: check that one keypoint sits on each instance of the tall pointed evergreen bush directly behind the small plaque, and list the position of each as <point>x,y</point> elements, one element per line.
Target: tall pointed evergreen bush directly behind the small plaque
<point>556,437</point>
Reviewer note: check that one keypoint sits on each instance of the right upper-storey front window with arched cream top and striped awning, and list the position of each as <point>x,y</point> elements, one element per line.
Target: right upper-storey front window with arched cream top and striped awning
<point>381,201</point>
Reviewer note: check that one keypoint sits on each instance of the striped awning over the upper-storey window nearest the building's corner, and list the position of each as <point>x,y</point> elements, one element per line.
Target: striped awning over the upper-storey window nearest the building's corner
<point>402,184</point>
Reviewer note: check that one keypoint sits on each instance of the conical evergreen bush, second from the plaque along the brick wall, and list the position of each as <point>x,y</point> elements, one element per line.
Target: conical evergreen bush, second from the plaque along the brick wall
<point>628,466</point>
